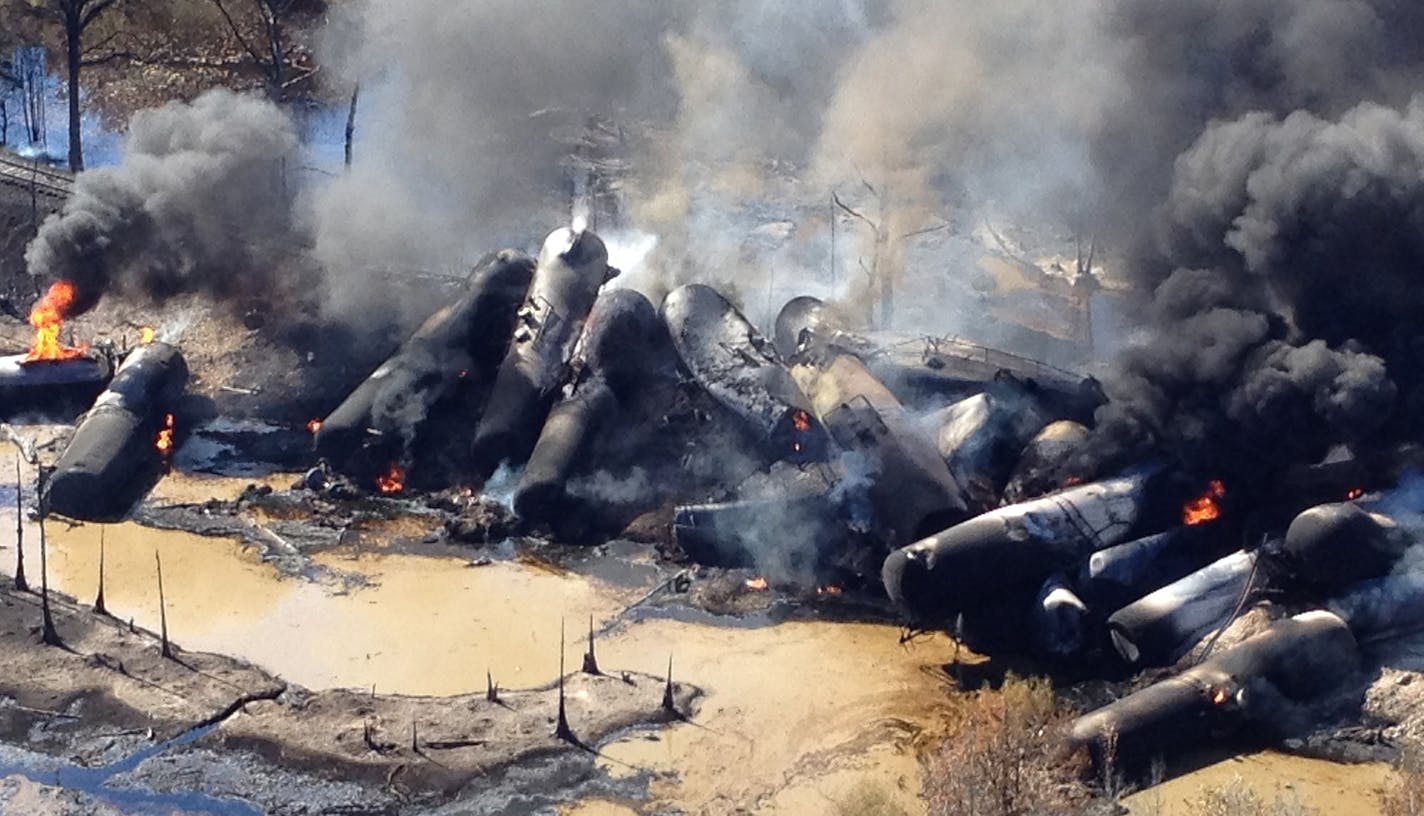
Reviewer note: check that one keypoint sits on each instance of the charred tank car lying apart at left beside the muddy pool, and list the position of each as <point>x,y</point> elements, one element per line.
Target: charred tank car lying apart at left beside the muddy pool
<point>113,458</point>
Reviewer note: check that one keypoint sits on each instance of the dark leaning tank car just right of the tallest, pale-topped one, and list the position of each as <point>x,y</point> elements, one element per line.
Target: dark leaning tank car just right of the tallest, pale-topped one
<point>622,352</point>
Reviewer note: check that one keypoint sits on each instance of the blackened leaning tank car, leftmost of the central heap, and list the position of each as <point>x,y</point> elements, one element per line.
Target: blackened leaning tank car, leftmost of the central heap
<point>459,347</point>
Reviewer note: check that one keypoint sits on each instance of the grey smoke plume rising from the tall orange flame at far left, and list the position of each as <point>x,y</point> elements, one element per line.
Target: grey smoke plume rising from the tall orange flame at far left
<point>199,204</point>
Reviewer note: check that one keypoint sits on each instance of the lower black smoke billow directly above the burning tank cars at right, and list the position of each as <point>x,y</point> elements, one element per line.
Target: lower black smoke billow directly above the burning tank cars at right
<point>1221,391</point>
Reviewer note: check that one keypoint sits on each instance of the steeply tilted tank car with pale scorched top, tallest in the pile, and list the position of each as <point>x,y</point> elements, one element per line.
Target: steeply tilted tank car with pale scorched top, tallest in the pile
<point>572,268</point>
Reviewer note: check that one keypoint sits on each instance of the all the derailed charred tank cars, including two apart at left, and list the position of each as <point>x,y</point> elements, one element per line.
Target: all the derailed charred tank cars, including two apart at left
<point>933,471</point>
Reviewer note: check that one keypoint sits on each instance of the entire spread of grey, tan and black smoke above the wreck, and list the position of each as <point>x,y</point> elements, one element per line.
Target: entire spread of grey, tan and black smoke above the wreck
<point>1258,166</point>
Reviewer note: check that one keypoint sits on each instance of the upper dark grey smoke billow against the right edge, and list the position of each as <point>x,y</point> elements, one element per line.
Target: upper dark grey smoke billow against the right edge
<point>1328,214</point>
